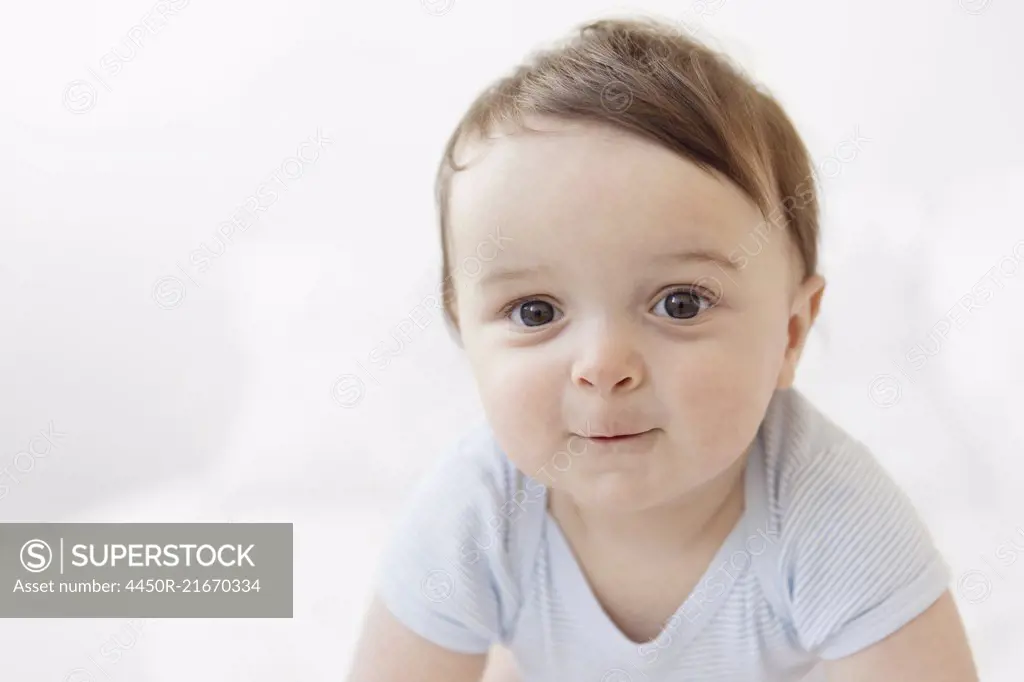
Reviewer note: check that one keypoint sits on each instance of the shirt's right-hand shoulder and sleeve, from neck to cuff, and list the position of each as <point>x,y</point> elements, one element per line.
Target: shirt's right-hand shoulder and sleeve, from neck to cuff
<point>856,561</point>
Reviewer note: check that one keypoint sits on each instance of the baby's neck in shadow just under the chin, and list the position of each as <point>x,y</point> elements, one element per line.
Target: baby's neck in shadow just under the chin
<point>706,516</point>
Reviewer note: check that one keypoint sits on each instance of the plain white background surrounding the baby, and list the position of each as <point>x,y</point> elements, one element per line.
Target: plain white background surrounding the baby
<point>223,407</point>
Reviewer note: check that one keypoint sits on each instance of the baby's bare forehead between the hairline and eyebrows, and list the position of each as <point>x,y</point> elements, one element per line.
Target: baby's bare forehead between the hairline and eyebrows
<point>594,192</point>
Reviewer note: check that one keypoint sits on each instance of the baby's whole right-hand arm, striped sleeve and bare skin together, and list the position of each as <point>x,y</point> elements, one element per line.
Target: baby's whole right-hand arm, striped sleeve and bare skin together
<point>866,586</point>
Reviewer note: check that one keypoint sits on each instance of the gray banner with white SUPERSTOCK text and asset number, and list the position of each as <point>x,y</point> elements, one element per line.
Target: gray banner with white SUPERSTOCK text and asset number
<point>146,571</point>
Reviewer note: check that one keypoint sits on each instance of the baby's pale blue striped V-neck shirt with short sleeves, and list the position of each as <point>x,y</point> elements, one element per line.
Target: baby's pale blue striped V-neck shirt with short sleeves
<point>829,558</point>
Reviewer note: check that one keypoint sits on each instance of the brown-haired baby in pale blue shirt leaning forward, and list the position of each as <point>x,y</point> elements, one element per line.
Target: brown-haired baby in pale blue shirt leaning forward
<point>630,230</point>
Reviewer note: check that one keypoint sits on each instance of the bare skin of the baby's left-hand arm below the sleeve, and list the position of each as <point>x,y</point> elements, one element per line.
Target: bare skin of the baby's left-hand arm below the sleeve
<point>391,653</point>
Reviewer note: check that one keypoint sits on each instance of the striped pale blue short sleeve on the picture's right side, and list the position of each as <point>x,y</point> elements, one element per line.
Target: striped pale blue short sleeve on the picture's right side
<point>859,562</point>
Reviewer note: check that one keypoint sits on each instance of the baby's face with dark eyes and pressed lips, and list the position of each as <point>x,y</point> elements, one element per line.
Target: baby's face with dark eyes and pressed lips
<point>612,308</point>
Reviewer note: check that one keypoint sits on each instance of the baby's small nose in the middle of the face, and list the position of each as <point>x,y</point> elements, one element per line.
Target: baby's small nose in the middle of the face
<point>609,365</point>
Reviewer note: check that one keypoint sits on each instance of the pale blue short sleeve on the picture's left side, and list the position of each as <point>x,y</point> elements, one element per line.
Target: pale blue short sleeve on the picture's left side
<point>441,573</point>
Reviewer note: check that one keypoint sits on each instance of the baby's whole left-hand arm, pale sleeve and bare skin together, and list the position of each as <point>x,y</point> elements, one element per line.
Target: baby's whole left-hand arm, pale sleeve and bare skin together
<point>443,583</point>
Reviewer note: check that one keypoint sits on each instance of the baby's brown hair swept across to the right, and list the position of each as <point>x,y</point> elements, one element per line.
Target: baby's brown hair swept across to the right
<point>647,77</point>
